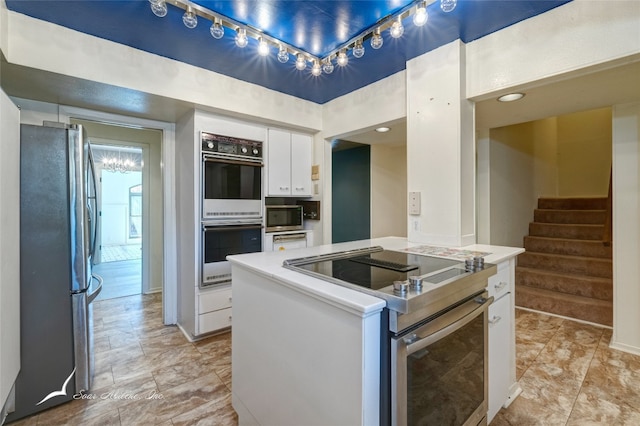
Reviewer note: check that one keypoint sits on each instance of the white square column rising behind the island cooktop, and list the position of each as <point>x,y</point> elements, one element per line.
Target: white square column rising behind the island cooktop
<point>441,148</point>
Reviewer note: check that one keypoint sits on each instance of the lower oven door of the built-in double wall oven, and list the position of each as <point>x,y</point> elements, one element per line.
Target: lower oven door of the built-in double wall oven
<point>220,241</point>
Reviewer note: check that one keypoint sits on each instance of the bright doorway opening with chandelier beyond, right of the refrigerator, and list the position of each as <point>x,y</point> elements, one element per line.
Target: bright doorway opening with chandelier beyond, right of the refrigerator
<point>119,256</point>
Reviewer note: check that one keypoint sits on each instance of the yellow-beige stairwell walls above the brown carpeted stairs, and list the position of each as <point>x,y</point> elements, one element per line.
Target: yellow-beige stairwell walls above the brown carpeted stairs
<point>566,156</point>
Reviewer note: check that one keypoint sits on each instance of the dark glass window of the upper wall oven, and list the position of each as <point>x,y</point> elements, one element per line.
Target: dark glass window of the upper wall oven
<point>229,180</point>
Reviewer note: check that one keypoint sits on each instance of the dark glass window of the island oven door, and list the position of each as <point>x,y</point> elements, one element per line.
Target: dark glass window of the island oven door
<point>445,380</point>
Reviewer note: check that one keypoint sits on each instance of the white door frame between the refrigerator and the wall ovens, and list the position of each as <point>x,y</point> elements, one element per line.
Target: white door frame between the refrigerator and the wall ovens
<point>169,276</point>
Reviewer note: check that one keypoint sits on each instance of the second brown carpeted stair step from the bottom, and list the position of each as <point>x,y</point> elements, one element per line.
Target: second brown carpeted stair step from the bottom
<point>595,287</point>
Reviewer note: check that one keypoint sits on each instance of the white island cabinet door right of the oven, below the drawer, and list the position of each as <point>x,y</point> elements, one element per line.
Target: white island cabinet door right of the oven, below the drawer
<point>500,348</point>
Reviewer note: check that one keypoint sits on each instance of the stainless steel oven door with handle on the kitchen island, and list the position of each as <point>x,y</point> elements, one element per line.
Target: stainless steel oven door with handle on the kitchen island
<point>439,368</point>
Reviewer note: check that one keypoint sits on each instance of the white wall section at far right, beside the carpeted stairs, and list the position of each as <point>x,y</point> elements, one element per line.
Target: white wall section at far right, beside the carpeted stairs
<point>626,227</point>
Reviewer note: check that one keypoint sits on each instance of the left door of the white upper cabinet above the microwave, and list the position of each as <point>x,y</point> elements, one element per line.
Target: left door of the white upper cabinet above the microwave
<point>279,163</point>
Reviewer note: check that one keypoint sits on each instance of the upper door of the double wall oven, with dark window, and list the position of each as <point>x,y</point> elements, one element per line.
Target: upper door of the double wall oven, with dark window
<point>231,189</point>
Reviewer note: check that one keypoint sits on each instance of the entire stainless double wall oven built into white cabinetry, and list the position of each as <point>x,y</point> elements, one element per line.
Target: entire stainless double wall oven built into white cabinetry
<point>232,170</point>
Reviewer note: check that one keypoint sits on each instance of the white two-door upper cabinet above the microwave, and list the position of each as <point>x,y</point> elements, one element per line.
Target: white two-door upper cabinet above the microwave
<point>288,162</point>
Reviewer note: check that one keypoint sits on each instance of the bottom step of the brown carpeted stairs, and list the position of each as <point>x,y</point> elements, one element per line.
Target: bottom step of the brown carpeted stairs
<point>582,308</point>
